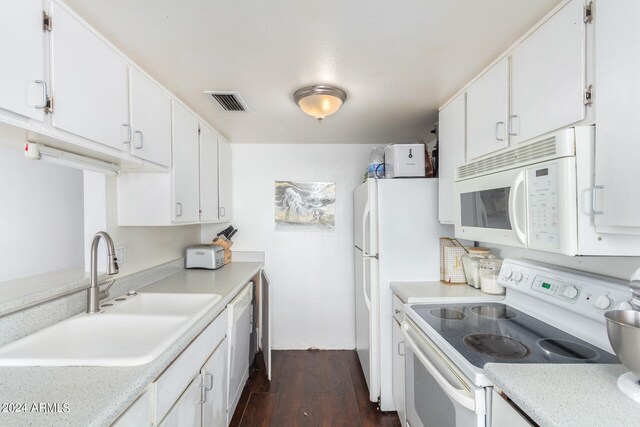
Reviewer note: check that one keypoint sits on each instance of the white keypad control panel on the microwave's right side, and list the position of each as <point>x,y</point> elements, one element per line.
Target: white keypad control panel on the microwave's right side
<point>542,193</point>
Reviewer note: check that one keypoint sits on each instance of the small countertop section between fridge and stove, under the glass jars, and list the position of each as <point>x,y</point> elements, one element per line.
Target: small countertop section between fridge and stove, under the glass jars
<point>425,292</point>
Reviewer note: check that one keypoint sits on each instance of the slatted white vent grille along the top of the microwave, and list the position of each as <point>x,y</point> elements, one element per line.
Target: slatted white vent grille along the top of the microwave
<point>538,151</point>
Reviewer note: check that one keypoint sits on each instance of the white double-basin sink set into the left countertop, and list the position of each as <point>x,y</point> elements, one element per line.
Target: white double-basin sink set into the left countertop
<point>129,331</point>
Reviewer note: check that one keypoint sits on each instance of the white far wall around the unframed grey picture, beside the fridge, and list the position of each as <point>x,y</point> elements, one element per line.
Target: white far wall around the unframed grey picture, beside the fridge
<point>312,273</point>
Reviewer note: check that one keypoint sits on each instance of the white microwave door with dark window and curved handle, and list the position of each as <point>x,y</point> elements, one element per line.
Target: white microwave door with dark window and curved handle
<point>492,208</point>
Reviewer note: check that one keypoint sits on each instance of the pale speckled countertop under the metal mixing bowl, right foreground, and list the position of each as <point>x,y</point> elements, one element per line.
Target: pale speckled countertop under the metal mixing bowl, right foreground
<point>567,395</point>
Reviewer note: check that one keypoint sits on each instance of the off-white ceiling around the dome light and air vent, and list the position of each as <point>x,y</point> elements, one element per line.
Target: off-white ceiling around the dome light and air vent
<point>398,60</point>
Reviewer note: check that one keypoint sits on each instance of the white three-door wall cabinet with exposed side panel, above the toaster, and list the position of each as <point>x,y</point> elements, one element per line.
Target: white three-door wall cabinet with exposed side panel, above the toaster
<point>194,189</point>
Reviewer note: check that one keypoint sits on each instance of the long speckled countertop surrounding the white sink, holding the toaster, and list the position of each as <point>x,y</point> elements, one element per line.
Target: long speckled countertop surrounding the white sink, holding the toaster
<point>96,396</point>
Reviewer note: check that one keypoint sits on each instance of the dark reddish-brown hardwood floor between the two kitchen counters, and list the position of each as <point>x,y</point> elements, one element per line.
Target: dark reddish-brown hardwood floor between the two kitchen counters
<point>309,388</point>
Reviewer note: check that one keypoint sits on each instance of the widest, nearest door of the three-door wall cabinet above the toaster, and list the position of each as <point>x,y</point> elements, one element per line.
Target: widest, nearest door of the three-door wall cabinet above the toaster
<point>186,204</point>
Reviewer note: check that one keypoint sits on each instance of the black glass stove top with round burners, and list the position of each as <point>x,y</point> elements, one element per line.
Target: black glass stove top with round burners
<point>496,333</point>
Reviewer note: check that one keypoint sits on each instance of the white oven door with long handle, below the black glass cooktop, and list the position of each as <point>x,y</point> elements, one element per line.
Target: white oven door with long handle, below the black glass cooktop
<point>436,392</point>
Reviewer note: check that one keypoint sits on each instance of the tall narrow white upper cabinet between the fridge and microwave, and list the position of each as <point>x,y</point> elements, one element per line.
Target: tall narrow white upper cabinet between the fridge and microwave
<point>451,153</point>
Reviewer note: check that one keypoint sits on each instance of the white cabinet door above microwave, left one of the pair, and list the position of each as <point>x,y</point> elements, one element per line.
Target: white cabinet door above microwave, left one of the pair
<point>487,111</point>
